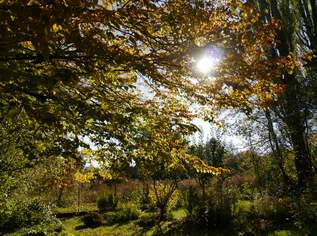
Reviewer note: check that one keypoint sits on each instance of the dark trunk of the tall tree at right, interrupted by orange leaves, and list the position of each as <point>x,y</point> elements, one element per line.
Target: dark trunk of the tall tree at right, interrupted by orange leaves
<point>291,100</point>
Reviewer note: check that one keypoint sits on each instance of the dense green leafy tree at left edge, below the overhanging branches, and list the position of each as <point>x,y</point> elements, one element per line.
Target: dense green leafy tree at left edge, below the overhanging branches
<point>24,146</point>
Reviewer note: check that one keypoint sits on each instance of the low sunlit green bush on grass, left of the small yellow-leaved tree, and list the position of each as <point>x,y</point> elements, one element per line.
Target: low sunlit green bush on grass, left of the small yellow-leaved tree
<point>124,214</point>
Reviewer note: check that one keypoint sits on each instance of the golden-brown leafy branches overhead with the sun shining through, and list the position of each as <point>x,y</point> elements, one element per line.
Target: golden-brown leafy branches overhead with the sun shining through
<point>73,67</point>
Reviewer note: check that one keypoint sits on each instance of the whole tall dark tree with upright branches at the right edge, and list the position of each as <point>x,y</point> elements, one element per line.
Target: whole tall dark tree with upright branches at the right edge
<point>296,41</point>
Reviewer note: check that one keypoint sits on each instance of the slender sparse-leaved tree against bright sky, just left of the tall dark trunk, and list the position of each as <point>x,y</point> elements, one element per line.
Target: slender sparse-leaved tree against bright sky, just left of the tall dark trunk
<point>265,136</point>
